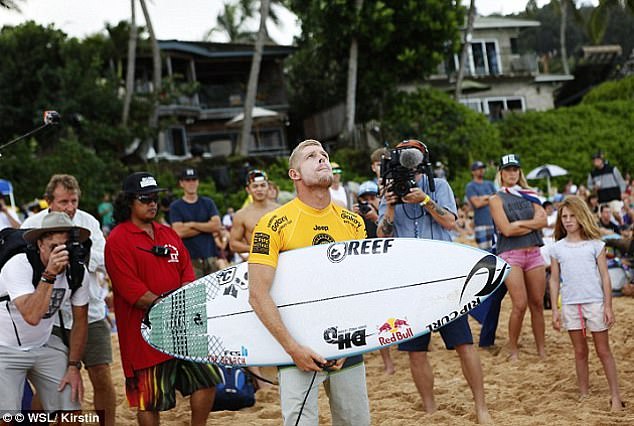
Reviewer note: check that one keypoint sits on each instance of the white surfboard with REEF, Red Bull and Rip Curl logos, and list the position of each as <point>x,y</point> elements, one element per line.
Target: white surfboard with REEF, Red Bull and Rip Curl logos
<point>340,299</point>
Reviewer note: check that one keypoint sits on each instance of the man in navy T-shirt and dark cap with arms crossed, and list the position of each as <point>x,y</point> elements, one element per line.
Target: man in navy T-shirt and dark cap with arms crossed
<point>195,219</point>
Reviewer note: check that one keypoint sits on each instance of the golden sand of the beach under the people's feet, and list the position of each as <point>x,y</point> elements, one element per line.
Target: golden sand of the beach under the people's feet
<point>527,392</point>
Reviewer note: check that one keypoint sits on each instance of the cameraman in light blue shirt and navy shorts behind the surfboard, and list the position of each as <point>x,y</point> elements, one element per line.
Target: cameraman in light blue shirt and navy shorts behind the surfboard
<point>428,210</point>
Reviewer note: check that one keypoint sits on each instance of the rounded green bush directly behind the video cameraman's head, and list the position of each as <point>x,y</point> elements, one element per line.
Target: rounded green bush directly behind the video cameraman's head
<point>454,134</point>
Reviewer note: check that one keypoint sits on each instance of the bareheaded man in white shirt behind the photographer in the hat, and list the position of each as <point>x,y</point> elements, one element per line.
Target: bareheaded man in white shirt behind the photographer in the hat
<point>62,194</point>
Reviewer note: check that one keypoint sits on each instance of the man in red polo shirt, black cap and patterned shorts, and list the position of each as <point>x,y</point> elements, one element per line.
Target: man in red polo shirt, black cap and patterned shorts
<point>144,260</point>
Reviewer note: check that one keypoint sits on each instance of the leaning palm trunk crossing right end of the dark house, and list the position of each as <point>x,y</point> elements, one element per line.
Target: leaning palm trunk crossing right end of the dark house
<point>252,87</point>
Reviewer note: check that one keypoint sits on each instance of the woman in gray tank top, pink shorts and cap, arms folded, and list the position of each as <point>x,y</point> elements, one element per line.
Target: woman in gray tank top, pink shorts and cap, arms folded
<point>519,218</point>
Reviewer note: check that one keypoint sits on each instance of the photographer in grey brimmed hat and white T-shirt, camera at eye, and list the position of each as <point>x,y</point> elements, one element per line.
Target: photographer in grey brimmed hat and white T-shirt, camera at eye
<point>26,322</point>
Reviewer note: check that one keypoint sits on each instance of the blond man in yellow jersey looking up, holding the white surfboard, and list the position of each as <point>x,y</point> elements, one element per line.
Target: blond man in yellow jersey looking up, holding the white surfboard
<point>310,219</point>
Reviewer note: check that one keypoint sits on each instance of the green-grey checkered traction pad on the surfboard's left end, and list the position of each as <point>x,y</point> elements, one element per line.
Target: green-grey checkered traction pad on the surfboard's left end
<point>186,335</point>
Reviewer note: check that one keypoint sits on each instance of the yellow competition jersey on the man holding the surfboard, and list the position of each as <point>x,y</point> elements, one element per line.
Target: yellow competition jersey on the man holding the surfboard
<point>296,225</point>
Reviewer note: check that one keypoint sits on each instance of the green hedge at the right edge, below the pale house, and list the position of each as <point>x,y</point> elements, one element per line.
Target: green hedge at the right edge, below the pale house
<point>568,136</point>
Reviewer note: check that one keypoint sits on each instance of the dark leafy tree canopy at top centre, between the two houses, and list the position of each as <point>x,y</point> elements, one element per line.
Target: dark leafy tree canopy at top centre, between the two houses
<point>398,41</point>
